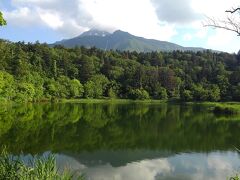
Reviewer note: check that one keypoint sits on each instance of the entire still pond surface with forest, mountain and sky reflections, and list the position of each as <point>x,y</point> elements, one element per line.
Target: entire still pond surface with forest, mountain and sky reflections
<point>107,141</point>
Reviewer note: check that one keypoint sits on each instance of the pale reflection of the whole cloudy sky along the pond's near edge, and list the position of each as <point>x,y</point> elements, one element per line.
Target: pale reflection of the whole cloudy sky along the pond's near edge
<point>195,166</point>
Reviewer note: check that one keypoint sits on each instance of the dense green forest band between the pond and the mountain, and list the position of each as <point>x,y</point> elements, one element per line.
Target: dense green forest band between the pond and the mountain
<point>36,72</point>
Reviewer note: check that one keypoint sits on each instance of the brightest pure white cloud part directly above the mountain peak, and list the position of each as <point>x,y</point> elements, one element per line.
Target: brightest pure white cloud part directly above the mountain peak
<point>136,17</point>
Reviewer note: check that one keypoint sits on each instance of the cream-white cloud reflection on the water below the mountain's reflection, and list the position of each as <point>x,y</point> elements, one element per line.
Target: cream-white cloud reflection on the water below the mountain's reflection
<point>143,170</point>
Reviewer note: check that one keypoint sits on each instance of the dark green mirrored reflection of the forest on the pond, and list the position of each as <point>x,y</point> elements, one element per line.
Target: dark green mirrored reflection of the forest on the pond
<point>79,127</point>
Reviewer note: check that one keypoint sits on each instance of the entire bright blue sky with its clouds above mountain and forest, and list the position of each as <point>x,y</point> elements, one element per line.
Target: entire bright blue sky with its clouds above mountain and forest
<point>177,21</point>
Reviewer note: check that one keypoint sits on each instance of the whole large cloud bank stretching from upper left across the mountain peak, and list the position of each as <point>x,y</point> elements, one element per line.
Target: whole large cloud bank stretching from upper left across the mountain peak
<point>71,19</point>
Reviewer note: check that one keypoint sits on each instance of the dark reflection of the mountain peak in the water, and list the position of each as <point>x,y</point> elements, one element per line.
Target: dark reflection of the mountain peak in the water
<point>116,158</point>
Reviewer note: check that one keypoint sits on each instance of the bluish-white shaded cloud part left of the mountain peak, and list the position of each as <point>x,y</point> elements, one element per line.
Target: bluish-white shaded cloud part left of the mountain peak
<point>70,19</point>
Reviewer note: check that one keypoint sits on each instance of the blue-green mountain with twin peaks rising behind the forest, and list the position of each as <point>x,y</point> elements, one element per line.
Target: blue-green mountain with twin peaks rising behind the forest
<point>123,41</point>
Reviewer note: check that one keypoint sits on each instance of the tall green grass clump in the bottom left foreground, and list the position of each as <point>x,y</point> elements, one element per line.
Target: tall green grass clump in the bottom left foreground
<point>40,169</point>
